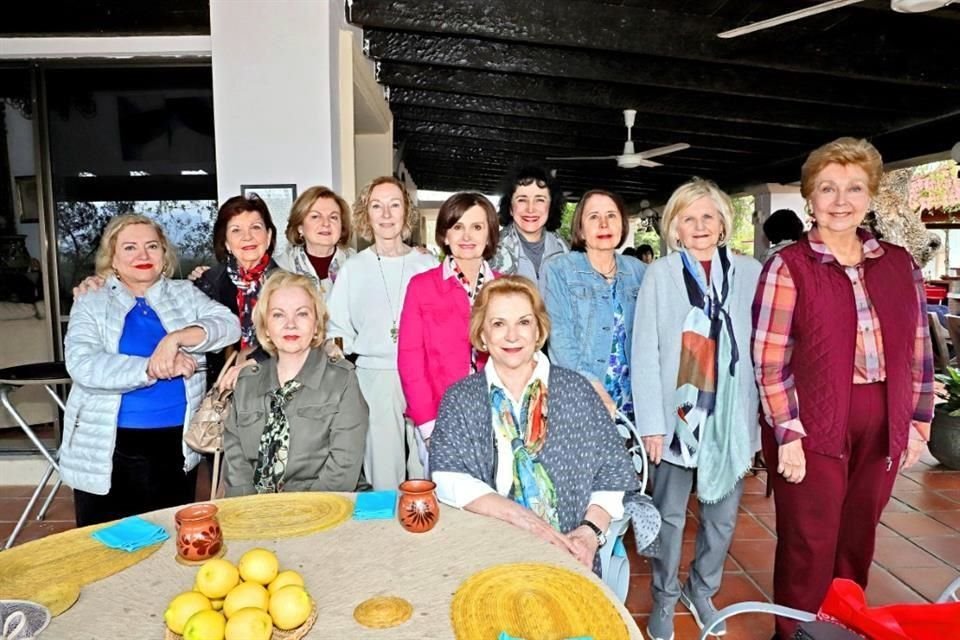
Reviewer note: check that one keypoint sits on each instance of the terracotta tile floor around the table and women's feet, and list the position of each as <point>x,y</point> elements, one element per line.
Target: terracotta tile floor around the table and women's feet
<point>918,547</point>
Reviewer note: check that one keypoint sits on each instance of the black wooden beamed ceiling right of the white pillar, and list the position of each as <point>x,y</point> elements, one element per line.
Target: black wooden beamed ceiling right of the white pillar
<point>476,86</point>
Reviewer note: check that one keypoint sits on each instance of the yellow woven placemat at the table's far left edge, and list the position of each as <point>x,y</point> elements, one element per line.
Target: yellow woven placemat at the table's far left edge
<point>52,570</point>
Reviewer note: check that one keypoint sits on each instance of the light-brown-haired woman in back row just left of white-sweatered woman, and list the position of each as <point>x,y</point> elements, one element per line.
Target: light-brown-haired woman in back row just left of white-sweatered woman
<point>318,236</point>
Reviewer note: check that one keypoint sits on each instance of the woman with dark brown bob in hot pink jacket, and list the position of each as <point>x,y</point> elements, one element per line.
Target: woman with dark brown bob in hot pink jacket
<point>434,347</point>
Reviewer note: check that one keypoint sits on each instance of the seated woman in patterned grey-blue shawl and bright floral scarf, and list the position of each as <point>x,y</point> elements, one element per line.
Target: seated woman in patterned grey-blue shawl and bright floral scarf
<point>493,451</point>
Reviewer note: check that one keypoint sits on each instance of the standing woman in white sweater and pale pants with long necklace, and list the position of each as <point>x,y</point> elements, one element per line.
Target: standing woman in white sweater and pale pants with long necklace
<point>365,306</point>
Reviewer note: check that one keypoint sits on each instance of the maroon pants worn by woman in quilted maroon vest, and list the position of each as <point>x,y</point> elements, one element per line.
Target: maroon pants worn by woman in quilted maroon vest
<point>827,524</point>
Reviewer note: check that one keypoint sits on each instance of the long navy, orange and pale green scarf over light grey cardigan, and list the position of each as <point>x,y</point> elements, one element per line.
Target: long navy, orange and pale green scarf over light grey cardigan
<point>708,433</point>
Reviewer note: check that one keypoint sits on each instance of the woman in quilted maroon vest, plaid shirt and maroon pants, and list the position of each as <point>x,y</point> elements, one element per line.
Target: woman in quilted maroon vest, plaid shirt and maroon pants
<point>845,372</point>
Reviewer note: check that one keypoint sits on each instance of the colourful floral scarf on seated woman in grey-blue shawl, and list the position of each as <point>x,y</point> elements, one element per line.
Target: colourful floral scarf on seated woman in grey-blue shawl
<point>532,486</point>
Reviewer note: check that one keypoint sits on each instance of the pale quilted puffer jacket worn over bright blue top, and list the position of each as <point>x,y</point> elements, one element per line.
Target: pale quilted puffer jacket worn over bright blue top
<point>101,375</point>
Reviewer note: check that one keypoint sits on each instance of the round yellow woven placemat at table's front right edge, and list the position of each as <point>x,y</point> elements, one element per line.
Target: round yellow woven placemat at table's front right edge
<point>533,601</point>
